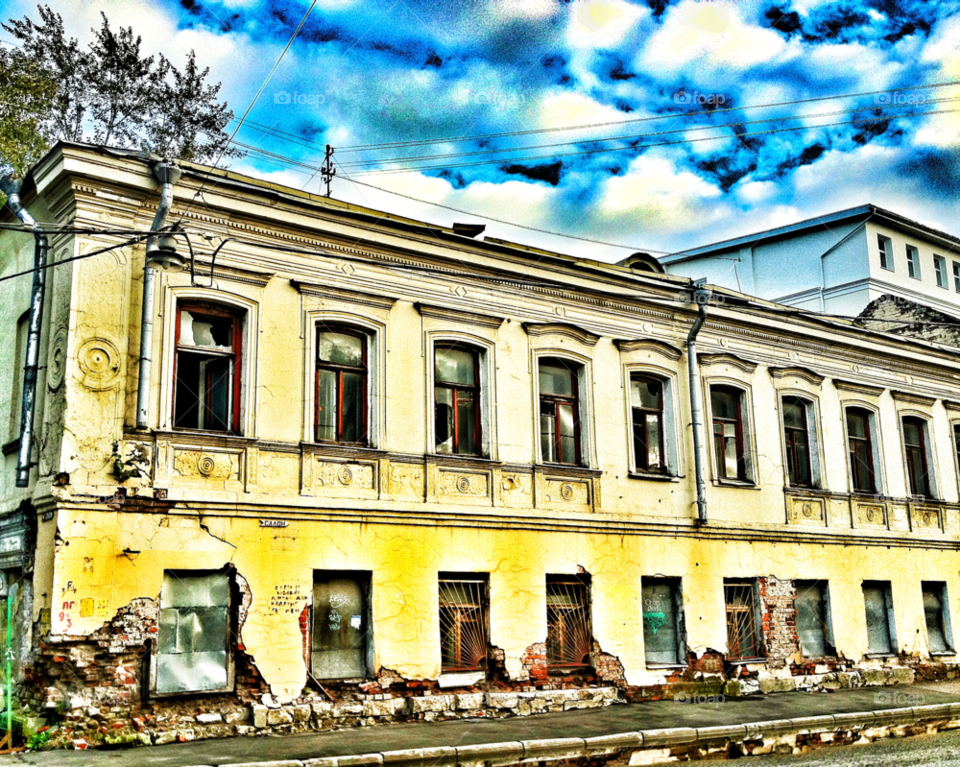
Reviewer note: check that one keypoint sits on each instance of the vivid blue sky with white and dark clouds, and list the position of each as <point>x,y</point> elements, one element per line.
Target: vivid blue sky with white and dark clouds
<point>370,72</point>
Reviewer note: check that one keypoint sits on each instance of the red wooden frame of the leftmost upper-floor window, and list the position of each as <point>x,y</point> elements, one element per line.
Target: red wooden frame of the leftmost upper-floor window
<point>212,309</point>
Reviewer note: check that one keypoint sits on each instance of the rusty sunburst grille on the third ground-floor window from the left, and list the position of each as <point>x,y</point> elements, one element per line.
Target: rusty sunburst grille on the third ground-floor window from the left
<point>463,625</point>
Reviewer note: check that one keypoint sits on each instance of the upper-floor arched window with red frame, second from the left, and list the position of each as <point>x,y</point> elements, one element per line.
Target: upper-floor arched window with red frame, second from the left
<point>341,386</point>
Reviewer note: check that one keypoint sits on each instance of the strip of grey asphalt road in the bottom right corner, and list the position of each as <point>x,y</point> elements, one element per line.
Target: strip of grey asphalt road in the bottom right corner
<point>921,750</point>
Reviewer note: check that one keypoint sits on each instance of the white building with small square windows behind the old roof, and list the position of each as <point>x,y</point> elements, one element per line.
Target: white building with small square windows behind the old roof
<point>837,263</point>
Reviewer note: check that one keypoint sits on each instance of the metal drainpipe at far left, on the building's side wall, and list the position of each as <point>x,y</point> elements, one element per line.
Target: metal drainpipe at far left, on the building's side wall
<point>28,406</point>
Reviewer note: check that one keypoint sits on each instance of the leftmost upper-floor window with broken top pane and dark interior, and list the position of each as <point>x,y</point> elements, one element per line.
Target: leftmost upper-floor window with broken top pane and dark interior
<point>206,393</point>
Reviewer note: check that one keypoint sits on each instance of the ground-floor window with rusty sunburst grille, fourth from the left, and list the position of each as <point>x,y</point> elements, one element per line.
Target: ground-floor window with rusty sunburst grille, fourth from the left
<point>569,633</point>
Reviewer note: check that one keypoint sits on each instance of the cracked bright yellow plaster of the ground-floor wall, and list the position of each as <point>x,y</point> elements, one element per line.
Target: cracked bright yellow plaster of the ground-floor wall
<point>404,562</point>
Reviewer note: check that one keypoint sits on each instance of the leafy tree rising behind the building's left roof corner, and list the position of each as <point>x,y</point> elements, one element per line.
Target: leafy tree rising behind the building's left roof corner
<point>109,93</point>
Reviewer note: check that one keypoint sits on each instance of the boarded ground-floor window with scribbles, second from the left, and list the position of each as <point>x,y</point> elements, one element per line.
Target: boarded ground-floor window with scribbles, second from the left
<point>341,633</point>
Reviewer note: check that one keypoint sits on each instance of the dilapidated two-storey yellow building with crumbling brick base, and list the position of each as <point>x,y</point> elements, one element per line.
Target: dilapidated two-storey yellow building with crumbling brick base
<point>333,466</point>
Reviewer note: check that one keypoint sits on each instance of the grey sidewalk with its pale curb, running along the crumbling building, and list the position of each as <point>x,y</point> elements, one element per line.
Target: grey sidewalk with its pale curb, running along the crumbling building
<point>639,726</point>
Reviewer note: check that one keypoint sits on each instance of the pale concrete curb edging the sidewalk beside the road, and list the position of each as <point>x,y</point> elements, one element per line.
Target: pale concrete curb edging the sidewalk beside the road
<point>567,748</point>
